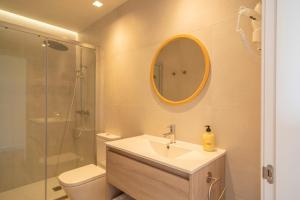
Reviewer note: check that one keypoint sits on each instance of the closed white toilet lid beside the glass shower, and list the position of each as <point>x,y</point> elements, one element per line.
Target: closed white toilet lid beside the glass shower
<point>81,175</point>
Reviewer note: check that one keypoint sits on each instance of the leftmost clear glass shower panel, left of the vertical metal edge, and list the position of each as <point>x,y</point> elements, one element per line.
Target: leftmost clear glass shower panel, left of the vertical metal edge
<point>22,116</point>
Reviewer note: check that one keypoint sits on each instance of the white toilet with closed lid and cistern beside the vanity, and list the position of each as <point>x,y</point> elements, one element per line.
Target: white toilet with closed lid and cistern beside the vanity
<point>88,182</point>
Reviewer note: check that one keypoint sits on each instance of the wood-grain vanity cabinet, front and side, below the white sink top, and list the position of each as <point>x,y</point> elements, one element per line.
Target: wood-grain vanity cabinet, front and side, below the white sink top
<point>146,180</point>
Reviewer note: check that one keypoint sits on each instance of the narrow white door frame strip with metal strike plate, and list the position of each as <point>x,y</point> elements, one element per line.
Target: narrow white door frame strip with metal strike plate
<point>268,91</point>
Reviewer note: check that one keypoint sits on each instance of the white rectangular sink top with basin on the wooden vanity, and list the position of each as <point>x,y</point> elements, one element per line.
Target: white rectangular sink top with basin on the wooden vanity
<point>182,156</point>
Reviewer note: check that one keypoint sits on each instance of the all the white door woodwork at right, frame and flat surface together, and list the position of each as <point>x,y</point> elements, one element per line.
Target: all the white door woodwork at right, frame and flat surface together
<point>281,98</point>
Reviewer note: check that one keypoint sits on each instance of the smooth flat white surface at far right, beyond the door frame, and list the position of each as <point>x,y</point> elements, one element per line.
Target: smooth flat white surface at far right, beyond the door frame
<point>288,100</point>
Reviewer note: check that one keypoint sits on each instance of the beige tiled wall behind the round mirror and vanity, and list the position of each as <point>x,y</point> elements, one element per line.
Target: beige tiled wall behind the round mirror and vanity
<point>230,102</point>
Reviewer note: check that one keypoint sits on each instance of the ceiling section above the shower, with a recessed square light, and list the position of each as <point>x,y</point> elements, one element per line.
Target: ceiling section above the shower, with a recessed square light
<point>75,15</point>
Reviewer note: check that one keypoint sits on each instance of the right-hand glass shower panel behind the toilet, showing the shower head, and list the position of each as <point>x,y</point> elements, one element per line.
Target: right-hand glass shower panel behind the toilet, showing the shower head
<point>70,109</point>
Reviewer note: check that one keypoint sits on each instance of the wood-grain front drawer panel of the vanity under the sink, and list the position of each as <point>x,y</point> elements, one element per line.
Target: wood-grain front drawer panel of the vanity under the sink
<point>144,182</point>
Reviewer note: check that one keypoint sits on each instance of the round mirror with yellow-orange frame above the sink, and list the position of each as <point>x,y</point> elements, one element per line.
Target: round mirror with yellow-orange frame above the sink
<point>180,69</point>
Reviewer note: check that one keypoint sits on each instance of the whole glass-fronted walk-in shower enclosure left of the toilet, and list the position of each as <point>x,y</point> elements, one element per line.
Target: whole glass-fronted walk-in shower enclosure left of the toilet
<point>47,113</point>
